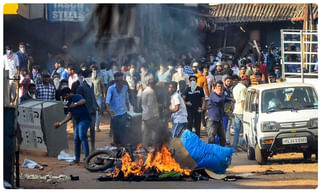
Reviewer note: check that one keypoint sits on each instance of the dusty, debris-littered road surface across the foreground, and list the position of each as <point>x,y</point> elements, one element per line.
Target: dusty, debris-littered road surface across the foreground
<point>286,171</point>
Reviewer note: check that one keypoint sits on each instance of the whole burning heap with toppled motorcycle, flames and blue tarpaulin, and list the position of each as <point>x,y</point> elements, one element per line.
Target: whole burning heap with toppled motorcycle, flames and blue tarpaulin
<point>182,162</point>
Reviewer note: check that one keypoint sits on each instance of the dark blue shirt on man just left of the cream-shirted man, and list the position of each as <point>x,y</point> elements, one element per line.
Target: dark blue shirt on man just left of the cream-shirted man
<point>216,107</point>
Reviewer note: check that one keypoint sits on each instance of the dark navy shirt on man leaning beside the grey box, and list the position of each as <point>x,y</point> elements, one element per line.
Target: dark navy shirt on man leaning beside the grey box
<point>79,113</point>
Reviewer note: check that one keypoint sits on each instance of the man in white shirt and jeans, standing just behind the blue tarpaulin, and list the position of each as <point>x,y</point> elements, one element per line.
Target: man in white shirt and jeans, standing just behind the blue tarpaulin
<point>178,109</point>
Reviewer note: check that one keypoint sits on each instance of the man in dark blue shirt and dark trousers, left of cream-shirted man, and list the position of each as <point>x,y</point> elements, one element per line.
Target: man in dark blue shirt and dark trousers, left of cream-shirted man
<point>215,114</point>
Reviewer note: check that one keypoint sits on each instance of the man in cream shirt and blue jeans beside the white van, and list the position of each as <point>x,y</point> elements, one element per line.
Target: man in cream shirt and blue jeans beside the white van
<point>239,93</point>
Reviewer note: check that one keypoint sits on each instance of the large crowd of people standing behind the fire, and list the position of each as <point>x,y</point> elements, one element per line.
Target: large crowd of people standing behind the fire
<point>188,90</point>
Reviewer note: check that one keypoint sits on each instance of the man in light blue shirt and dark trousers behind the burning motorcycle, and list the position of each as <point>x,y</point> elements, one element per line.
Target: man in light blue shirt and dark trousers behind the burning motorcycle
<point>117,105</point>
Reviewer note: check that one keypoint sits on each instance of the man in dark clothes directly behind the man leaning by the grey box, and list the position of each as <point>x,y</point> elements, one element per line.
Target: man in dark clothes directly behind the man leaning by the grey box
<point>86,90</point>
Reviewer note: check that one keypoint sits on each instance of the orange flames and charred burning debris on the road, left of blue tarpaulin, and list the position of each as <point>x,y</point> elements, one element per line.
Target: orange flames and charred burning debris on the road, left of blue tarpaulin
<point>144,164</point>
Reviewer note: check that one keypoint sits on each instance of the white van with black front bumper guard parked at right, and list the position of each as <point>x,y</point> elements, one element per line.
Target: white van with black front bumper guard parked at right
<point>281,118</point>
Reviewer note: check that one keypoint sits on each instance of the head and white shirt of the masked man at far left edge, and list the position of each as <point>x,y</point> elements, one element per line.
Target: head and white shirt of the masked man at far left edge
<point>11,62</point>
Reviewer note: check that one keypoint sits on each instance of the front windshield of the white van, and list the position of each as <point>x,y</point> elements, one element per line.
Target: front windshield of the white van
<point>292,98</point>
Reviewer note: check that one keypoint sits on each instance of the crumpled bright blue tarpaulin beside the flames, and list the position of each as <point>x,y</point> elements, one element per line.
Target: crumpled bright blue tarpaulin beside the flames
<point>210,156</point>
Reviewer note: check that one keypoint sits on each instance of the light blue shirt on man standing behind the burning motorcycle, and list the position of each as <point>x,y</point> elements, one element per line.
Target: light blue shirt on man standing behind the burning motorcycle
<point>118,101</point>
